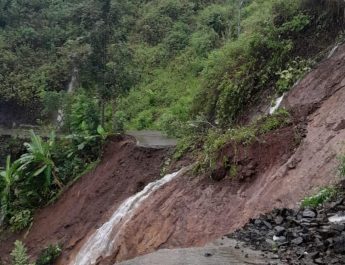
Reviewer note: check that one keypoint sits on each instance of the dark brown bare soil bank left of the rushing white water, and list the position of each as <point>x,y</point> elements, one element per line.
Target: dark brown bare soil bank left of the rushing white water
<point>124,170</point>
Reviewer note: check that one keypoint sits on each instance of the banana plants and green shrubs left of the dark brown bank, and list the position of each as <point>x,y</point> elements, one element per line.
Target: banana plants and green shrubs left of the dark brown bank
<point>41,173</point>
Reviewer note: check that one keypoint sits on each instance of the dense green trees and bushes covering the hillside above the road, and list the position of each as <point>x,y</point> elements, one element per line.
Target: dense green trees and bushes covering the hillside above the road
<point>159,64</point>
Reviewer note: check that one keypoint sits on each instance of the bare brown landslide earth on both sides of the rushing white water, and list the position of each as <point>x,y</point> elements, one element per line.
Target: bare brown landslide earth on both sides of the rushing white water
<point>278,170</point>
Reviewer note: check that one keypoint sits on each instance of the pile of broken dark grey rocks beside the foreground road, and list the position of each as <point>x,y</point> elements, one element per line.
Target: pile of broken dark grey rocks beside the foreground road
<point>304,236</point>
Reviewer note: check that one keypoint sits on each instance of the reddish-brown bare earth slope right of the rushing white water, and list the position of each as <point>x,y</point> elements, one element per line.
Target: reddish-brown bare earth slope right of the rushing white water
<point>284,166</point>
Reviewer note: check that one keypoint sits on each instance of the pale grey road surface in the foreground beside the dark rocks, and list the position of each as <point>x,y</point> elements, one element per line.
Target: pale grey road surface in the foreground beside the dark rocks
<point>222,252</point>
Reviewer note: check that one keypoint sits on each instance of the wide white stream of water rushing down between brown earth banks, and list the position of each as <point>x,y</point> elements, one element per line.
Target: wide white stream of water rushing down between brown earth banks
<point>102,241</point>
